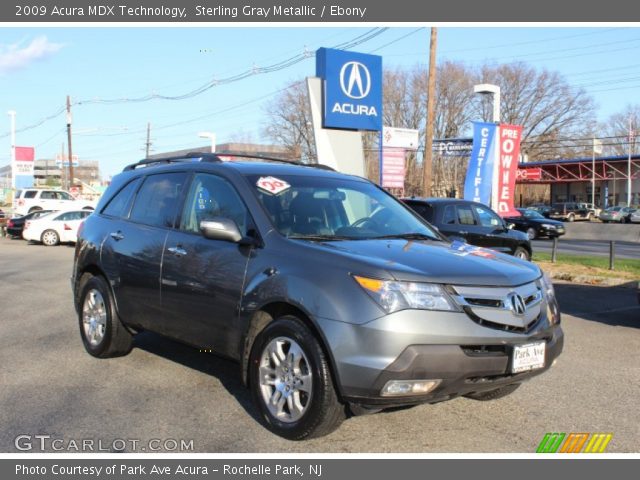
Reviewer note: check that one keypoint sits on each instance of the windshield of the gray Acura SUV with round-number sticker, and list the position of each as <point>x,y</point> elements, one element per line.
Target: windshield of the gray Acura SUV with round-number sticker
<point>323,208</point>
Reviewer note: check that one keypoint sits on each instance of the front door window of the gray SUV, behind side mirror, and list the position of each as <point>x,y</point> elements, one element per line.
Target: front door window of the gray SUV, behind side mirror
<point>212,196</point>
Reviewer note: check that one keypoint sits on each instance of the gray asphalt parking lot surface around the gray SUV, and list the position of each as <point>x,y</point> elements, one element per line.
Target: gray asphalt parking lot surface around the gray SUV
<point>164,390</point>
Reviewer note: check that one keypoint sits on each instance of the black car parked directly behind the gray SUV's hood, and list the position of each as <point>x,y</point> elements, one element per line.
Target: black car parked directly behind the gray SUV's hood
<point>473,223</point>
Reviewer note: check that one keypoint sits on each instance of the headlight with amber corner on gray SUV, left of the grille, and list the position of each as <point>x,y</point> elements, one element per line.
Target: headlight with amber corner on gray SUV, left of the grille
<point>393,296</point>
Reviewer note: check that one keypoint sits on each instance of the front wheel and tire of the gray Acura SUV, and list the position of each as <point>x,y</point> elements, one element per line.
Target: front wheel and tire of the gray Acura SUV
<point>291,382</point>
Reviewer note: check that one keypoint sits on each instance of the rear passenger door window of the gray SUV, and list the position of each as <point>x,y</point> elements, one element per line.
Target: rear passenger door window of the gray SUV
<point>157,200</point>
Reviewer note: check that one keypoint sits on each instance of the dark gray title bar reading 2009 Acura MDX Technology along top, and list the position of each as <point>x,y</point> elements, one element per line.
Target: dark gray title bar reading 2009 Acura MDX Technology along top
<point>325,11</point>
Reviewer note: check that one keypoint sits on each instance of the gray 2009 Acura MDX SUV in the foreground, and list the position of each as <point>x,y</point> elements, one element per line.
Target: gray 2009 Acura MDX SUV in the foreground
<point>334,297</point>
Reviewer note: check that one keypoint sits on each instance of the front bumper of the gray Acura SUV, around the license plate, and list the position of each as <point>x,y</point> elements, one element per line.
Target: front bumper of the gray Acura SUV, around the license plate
<point>420,345</point>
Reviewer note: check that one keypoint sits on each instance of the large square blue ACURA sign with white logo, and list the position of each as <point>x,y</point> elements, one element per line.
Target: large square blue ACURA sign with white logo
<point>352,89</point>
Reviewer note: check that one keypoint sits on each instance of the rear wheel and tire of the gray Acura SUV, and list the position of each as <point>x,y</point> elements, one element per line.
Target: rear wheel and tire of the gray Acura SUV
<point>103,334</point>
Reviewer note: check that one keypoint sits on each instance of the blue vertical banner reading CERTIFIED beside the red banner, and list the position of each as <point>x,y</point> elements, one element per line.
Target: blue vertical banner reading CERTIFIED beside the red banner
<point>477,185</point>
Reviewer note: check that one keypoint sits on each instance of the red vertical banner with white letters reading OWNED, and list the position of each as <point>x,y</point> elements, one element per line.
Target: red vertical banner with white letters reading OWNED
<point>508,153</point>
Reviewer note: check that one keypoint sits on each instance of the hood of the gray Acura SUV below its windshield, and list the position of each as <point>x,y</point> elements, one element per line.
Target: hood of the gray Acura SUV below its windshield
<point>454,263</point>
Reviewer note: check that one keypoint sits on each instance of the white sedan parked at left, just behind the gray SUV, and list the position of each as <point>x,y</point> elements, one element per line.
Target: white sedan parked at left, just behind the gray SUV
<point>56,227</point>
